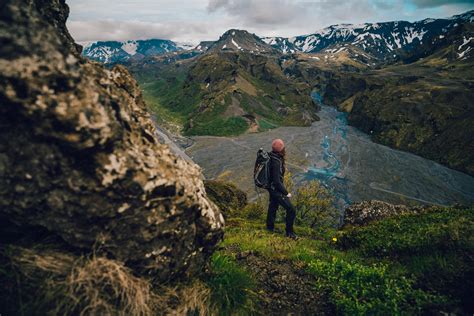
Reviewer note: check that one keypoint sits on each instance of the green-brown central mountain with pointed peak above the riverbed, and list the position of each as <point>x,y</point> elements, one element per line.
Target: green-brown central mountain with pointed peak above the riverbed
<point>235,86</point>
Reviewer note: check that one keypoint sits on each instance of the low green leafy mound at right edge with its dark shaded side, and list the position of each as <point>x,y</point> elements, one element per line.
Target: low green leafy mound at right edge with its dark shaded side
<point>436,248</point>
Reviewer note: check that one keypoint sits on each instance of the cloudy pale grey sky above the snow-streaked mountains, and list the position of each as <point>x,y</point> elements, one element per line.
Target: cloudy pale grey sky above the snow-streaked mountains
<point>193,21</point>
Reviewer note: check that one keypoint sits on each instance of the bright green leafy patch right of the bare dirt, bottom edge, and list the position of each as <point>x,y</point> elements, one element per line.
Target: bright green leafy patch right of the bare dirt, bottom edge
<point>356,289</point>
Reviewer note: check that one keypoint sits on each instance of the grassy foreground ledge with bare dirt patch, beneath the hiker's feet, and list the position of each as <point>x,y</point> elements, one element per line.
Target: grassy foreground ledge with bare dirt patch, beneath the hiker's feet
<point>412,263</point>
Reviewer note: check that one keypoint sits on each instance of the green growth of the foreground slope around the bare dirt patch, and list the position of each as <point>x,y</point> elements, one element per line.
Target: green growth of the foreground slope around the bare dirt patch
<point>408,264</point>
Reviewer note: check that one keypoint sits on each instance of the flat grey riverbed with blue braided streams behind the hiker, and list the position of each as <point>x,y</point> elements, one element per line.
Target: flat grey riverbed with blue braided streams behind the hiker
<point>344,159</point>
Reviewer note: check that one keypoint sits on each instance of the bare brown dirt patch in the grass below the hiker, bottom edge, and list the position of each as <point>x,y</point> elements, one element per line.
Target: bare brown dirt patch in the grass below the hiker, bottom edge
<point>283,288</point>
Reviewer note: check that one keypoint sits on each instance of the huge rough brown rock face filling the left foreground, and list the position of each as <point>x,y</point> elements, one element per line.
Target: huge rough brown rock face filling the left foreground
<point>79,156</point>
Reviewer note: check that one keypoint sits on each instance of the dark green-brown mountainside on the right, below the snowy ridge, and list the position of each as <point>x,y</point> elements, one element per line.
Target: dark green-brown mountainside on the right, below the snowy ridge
<point>422,105</point>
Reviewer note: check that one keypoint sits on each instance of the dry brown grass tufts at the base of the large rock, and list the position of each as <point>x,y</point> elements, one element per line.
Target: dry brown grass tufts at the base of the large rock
<point>63,284</point>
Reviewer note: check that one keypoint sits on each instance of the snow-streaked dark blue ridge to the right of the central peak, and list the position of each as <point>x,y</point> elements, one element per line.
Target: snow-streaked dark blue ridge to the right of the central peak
<point>383,40</point>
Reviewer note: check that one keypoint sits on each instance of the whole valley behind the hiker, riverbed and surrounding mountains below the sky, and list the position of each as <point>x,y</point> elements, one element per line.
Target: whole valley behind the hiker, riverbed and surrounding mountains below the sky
<point>404,90</point>
